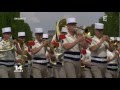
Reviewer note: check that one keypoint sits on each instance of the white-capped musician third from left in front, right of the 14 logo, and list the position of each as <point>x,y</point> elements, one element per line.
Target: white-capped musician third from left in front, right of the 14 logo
<point>40,61</point>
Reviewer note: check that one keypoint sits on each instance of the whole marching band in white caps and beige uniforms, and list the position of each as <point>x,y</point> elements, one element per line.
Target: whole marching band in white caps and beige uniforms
<point>72,54</point>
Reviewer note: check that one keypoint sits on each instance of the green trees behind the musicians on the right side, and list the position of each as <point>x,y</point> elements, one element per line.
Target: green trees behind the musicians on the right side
<point>112,24</point>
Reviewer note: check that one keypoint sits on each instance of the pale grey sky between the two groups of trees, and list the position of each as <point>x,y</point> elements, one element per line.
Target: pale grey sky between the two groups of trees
<point>47,20</point>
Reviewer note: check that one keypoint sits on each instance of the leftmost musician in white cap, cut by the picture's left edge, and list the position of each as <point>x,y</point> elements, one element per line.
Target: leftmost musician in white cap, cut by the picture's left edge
<point>7,55</point>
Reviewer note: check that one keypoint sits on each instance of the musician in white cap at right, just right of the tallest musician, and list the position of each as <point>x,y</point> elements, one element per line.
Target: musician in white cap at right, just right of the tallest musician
<point>98,50</point>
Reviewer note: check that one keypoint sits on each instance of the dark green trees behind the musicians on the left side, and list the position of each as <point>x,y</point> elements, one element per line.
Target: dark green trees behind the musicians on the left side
<point>7,20</point>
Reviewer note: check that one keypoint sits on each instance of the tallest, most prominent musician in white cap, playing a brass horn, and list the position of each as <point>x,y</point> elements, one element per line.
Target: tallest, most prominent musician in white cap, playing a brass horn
<point>72,50</point>
